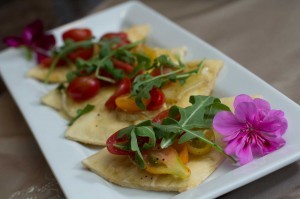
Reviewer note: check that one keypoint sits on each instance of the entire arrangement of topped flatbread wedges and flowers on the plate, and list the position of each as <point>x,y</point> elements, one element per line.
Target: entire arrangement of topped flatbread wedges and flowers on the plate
<point>111,88</point>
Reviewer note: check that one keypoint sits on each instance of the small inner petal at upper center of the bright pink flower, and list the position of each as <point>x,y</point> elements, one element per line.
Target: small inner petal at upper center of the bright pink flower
<point>246,112</point>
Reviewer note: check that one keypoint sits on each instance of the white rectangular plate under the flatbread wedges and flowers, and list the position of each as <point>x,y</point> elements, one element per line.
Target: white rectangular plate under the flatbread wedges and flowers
<point>64,156</point>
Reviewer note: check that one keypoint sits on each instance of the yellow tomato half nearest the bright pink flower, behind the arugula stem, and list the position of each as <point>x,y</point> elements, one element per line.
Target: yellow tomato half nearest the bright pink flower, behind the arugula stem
<point>198,147</point>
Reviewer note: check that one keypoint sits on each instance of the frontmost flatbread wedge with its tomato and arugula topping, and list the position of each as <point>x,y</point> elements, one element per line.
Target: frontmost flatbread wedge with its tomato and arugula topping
<point>165,154</point>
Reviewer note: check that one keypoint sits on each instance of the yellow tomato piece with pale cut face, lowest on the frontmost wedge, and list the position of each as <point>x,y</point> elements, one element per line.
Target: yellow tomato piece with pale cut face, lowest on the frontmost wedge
<point>165,161</point>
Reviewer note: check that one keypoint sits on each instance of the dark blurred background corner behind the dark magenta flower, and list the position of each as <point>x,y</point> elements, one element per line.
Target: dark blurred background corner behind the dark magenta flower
<point>14,14</point>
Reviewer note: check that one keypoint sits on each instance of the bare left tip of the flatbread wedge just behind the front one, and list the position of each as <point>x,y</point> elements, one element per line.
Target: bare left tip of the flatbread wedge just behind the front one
<point>96,126</point>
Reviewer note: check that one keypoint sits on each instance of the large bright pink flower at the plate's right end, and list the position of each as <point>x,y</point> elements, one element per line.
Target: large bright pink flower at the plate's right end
<point>253,130</point>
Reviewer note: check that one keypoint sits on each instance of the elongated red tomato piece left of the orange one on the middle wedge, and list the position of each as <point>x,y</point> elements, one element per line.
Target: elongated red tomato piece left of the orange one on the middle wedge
<point>123,88</point>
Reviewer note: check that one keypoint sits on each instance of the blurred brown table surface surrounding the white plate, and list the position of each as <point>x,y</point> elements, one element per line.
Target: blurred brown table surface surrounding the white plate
<point>263,36</point>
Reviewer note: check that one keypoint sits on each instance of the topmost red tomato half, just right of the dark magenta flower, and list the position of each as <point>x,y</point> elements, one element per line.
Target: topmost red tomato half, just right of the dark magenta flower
<point>78,34</point>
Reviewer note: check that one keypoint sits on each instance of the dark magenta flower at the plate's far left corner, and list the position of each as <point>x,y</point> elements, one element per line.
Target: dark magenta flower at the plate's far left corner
<point>34,38</point>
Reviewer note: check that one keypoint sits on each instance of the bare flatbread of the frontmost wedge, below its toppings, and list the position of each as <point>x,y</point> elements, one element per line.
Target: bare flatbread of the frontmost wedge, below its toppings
<point>120,170</point>
